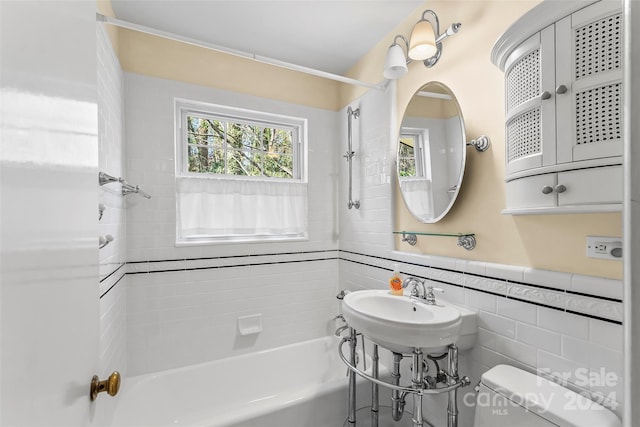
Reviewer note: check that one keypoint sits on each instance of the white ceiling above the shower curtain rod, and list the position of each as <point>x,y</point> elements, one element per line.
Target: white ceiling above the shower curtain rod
<point>328,35</point>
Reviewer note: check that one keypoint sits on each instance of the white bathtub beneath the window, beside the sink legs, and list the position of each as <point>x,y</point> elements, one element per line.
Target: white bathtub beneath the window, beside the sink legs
<point>303,384</point>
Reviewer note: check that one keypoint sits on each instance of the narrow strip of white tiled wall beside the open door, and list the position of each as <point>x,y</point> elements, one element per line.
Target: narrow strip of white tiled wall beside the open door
<point>111,161</point>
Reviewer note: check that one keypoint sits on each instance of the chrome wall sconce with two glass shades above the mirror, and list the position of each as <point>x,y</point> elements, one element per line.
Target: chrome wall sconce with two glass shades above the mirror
<point>425,45</point>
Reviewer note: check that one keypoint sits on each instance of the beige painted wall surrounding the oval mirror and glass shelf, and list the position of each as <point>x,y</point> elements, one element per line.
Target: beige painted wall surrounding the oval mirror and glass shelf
<point>553,242</point>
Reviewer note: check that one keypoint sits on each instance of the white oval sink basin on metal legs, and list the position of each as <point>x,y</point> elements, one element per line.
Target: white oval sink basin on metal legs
<point>402,324</point>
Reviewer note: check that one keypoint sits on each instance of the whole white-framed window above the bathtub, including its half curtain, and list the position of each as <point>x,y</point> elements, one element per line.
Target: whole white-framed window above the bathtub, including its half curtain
<point>240,175</point>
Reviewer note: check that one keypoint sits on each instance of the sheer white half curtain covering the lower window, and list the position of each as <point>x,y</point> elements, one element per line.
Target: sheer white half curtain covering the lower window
<point>239,209</point>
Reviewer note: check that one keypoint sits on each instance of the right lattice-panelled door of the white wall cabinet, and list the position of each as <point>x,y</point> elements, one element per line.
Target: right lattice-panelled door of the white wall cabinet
<point>589,62</point>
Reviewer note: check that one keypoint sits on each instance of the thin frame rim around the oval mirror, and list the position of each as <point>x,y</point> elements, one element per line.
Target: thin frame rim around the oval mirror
<point>462,142</point>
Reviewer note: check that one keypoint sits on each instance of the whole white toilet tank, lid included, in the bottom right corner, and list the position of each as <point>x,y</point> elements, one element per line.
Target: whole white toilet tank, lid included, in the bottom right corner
<point>511,397</point>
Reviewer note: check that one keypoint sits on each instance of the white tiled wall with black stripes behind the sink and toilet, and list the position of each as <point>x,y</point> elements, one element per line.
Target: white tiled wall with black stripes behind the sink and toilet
<point>541,321</point>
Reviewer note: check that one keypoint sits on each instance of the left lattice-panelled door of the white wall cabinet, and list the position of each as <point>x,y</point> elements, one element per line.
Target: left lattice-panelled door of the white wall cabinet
<point>530,110</point>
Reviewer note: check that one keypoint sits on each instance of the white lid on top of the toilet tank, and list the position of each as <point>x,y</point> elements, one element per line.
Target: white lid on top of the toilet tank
<point>548,399</point>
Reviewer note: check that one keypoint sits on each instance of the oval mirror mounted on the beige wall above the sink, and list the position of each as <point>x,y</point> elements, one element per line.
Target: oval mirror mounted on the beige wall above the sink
<point>431,152</point>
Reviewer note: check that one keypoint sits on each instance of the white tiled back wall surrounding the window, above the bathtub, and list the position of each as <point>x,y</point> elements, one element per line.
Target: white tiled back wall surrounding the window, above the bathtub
<point>183,303</point>
